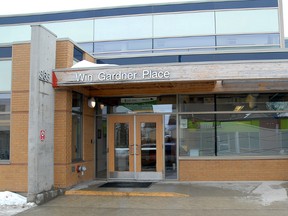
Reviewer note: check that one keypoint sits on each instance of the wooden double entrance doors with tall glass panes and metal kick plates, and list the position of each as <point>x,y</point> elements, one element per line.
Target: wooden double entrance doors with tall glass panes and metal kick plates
<point>135,147</point>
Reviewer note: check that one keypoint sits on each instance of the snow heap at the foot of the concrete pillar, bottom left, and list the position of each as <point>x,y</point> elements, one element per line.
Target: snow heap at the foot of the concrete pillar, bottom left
<point>13,203</point>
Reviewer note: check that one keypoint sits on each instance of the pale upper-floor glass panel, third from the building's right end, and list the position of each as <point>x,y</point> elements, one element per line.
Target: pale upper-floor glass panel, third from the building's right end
<point>123,28</point>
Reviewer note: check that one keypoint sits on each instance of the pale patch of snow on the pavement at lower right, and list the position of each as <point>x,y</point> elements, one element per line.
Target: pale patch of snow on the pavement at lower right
<point>270,192</point>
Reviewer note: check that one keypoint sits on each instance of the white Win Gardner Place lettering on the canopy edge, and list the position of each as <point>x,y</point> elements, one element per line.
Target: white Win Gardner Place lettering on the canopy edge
<point>122,76</point>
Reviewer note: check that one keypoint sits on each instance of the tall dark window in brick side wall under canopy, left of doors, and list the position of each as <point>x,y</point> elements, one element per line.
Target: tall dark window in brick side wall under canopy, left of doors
<point>77,132</point>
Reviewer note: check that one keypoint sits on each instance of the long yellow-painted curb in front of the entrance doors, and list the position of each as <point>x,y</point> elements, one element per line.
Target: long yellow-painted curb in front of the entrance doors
<point>124,194</point>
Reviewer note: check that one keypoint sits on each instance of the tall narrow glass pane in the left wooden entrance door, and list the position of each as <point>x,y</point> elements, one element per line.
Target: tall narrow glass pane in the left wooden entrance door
<point>121,146</point>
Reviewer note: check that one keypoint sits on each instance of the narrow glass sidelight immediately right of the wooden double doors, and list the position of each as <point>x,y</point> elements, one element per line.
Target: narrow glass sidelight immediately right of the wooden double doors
<point>170,147</point>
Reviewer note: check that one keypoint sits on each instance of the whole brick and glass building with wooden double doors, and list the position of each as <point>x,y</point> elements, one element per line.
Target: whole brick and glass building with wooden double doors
<point>188,91</point>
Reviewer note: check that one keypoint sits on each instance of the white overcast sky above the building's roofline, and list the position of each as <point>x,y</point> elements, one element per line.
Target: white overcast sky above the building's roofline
<point>36,6</point>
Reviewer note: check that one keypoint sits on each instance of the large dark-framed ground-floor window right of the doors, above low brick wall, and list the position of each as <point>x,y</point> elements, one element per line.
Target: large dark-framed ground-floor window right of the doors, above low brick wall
<point>227,125</point>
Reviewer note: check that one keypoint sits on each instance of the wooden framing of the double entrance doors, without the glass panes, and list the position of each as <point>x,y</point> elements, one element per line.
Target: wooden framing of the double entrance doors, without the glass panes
<point>135,172</point>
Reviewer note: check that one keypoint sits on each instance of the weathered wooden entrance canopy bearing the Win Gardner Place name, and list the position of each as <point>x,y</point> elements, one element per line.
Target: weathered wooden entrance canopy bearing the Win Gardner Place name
<point>175,78</point>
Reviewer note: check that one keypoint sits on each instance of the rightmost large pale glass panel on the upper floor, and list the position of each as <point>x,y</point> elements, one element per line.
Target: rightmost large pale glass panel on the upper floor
<point>247,21</point>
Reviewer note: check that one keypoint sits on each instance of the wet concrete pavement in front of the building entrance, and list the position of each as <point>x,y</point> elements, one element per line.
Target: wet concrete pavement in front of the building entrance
<point>211,198</point>
